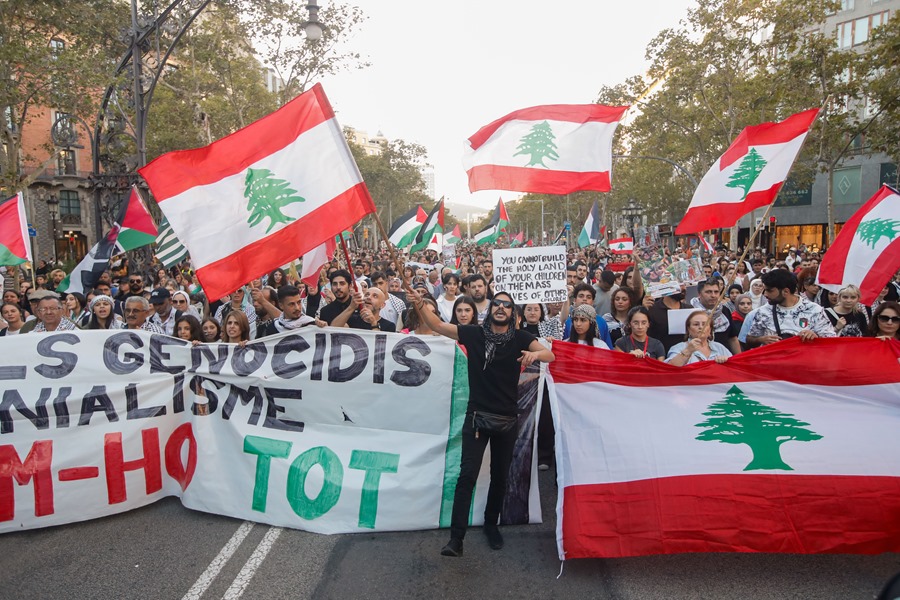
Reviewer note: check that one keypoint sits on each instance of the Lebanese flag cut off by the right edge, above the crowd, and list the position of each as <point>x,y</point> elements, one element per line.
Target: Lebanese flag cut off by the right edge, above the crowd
<point>866,253</point>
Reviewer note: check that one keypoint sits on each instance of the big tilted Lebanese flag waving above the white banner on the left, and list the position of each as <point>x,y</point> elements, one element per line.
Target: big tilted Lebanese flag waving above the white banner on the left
<point>262,196</point>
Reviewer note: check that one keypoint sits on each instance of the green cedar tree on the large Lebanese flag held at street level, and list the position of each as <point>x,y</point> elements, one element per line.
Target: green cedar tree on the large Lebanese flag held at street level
<point>736,419</point>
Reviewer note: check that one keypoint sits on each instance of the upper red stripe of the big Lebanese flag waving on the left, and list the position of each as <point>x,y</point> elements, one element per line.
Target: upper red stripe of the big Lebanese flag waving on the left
<point>176,172</point>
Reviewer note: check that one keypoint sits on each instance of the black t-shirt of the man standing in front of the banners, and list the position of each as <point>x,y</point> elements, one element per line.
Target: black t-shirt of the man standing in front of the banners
<point>494,389</point>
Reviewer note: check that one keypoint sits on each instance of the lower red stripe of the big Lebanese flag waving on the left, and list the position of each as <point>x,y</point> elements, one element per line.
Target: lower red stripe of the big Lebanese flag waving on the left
<point>226,275</point>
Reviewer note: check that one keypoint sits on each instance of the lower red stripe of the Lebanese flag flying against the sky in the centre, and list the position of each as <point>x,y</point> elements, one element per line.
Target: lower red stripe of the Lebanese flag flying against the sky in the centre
<point>525,179</point>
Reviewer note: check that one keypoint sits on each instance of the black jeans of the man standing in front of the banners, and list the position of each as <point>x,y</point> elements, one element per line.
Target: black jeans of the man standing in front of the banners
<point>502,446</point>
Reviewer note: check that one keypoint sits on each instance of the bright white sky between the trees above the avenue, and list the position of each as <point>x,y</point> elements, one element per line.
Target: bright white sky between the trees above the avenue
<point>442,70</point>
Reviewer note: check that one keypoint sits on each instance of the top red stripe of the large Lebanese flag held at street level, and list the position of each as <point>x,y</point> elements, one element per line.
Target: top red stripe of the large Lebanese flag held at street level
<point>826,361</point>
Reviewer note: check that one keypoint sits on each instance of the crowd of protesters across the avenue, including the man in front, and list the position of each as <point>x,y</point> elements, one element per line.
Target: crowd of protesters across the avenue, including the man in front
<point>737,306</point>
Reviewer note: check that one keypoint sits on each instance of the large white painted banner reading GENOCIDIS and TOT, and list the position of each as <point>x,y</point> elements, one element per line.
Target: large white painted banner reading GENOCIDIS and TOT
<point>324,430</point>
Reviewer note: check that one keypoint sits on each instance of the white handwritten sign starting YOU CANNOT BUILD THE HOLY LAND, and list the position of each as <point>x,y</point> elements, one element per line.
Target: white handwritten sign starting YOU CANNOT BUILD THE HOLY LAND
<point>531,274</point>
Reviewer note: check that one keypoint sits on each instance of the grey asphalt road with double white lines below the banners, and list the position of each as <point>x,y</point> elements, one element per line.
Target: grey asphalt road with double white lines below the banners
<point>166,551</point>
